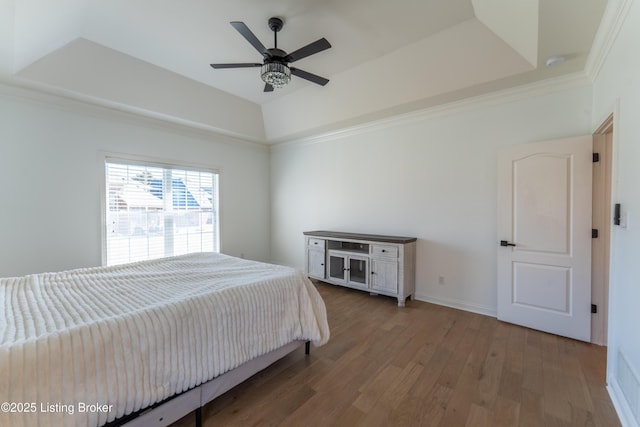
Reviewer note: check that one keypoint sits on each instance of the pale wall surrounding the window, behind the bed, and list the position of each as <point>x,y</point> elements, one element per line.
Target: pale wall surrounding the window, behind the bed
<point>50,172</point>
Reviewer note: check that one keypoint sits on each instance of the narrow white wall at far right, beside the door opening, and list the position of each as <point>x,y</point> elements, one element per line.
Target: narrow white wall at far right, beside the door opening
<point>618,83</point>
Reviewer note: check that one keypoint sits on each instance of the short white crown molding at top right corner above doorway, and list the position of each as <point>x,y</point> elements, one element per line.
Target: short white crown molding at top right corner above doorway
<point>612,21</point>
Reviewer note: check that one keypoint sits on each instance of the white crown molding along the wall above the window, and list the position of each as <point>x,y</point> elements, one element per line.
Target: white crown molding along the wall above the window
<point>73,101</point>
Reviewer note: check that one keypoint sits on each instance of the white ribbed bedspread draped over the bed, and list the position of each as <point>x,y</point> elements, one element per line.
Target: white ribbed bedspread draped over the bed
<point>128,336</point>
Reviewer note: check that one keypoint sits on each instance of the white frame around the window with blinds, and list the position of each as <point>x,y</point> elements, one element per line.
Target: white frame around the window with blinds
<point>136,160</point>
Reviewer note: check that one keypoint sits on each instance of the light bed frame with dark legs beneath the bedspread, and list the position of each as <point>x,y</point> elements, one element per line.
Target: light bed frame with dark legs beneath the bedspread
<point>174,408</point>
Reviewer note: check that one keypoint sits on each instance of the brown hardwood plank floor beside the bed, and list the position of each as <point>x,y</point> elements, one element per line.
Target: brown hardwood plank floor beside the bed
<point>422,365</point>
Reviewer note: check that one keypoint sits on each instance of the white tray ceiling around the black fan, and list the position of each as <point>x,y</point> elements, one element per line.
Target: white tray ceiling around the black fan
<point>386,57</point>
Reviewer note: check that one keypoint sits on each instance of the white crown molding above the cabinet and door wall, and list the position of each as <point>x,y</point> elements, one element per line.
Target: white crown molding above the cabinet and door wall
<point>540,88</point>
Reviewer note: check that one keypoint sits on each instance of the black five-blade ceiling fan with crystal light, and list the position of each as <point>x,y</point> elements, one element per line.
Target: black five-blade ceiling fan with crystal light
<point>275,70</point>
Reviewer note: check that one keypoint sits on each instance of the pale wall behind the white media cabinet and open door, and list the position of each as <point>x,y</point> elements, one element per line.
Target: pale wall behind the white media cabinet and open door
<point>433,177</point>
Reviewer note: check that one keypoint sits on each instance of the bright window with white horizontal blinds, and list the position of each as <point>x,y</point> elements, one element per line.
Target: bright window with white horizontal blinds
<point>154,211</point>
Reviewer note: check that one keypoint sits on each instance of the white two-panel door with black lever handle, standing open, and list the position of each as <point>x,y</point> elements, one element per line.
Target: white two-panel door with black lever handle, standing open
<point>544,219</point>
